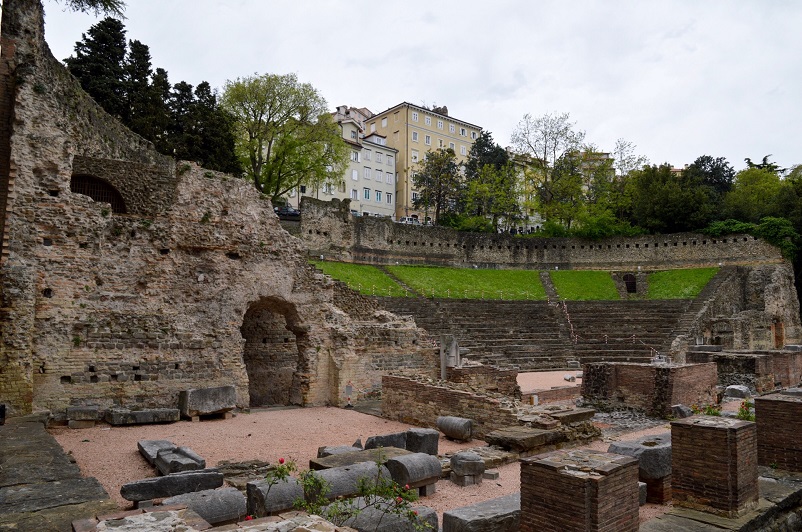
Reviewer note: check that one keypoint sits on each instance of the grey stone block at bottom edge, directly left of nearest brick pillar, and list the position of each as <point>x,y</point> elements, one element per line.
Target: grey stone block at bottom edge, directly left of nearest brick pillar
<point>496,515</point>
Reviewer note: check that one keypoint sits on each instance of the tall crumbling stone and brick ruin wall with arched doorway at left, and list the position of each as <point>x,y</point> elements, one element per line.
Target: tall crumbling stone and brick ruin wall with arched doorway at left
<point>128,277</point>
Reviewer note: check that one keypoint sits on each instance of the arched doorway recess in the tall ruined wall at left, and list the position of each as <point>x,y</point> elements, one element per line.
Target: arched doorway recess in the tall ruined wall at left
<point>273,354</point>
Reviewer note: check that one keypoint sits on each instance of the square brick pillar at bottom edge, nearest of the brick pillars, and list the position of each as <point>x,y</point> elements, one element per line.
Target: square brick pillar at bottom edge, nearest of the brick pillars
<point>579,490</point>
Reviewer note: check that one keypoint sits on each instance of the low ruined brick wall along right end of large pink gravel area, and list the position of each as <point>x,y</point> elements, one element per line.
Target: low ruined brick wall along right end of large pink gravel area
<point>420,402</point>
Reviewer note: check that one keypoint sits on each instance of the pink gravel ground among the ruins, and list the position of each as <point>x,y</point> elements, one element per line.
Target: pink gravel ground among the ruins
<point>110,453</point>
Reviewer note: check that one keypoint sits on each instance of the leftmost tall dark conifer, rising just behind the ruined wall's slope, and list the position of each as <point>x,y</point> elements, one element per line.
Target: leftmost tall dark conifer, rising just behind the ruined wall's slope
<point>99,65</point>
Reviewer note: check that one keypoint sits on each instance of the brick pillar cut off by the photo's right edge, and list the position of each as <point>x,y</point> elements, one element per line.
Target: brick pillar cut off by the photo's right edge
<point>779,427</point>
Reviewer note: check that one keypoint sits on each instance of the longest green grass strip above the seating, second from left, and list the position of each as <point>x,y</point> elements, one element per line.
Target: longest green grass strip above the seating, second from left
<point>471,284</point>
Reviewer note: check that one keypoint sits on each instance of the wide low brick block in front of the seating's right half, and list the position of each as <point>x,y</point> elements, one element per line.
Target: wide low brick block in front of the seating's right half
<point>647,387</point>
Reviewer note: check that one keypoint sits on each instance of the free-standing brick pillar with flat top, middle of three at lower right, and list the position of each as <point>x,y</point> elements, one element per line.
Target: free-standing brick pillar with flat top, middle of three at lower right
<point>714,464</point>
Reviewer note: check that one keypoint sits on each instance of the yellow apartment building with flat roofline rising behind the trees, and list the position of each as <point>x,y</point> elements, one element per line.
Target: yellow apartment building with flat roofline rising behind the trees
<point>414,130</point>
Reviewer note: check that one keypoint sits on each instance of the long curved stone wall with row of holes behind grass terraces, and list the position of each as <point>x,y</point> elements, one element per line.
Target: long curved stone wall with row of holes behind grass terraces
<point>330,230</point>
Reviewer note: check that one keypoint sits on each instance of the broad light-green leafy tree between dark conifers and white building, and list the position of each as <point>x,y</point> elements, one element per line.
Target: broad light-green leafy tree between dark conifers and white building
<point>284,134</point>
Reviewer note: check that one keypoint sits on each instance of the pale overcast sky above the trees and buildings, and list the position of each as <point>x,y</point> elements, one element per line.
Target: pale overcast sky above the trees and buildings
<point>679,79</point>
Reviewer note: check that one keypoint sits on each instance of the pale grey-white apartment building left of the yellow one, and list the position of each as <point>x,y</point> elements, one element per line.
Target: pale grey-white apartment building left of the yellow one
<point>370,179</point>
